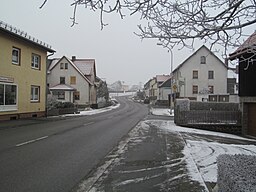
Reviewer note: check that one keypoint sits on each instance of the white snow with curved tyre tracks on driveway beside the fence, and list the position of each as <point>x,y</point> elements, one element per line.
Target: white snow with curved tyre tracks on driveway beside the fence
<point>202,152</point>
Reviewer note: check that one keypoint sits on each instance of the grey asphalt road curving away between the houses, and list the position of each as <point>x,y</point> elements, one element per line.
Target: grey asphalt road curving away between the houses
<point>54,155</point>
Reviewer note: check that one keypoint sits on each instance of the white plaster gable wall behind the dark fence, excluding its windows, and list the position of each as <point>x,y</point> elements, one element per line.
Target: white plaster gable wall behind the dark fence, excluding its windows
<point>185,73</point>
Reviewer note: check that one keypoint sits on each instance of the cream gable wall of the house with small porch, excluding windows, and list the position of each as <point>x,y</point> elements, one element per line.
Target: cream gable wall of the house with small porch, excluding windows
<point>81,84</point>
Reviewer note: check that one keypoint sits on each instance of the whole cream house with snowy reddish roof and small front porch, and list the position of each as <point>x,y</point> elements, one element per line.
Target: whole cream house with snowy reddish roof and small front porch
<point>72,80</point>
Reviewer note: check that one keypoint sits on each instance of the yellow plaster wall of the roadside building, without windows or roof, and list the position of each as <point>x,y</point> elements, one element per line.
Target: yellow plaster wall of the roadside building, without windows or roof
<point>23,75</point>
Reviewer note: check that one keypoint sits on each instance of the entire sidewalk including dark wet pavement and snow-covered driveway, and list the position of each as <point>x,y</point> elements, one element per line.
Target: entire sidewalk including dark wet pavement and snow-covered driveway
<point>157,155</point>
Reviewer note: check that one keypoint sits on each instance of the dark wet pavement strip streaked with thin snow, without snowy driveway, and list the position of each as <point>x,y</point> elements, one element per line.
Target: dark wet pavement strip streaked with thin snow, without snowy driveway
<point>150,160</point>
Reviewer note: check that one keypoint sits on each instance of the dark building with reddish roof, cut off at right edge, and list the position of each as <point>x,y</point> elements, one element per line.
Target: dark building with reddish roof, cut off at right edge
<point>246,56</point>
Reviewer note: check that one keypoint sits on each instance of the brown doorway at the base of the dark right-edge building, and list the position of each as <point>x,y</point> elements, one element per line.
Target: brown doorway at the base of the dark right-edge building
<point>252,119</point>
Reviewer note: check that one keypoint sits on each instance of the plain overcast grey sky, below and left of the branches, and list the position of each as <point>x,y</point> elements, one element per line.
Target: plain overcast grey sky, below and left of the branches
<point>119,54</point>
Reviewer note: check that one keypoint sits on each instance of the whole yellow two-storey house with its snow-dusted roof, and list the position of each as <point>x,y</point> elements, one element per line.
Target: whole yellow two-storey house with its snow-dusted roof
<point>22,74</point>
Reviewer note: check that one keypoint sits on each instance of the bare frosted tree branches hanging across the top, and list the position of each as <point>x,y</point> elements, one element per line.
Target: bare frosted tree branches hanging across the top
<point>181,22</point>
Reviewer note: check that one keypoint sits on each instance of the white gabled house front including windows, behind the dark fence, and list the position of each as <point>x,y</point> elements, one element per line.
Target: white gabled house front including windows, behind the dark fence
<point>201,76</point>
